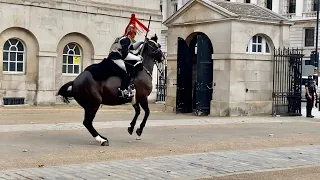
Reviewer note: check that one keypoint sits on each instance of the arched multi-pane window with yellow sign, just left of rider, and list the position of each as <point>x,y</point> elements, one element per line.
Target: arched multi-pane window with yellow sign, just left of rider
<point>71,59</point>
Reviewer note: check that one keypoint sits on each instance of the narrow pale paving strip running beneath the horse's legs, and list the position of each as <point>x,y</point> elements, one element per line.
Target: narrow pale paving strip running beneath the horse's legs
<point>150,123</point>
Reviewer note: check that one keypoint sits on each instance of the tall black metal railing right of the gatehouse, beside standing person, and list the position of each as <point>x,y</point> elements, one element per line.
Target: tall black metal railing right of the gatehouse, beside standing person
<point>287,78</point>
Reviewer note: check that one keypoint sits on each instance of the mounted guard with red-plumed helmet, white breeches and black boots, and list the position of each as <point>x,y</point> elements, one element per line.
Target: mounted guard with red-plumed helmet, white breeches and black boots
<point>120,52</point>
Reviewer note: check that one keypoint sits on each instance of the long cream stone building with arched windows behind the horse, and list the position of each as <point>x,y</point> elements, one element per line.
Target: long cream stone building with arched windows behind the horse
<point>46,43</point>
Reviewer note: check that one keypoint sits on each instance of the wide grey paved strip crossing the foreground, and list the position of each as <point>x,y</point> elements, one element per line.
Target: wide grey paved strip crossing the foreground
<point>191,166</point>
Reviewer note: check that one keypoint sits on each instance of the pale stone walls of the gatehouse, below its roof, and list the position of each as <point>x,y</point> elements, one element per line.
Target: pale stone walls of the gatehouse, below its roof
<point>242,81</point>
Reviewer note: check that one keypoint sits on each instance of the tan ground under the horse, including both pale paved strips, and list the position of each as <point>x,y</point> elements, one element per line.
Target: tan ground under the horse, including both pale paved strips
<point>164,132</point>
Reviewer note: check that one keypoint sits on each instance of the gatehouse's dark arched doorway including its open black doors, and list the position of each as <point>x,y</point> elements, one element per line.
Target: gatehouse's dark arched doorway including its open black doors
<point>194,74</point>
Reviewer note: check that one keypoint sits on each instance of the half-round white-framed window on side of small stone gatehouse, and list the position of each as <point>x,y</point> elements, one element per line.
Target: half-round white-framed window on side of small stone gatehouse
<point>258,45</point>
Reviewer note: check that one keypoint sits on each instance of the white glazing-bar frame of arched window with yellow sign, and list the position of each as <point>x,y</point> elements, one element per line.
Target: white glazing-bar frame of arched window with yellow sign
<point>73,55</point>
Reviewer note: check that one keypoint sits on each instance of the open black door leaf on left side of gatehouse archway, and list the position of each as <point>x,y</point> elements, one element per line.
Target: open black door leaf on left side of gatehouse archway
<point>184,78</point>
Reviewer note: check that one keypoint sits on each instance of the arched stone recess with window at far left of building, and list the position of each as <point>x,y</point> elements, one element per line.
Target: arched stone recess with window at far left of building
<point>28,70</point>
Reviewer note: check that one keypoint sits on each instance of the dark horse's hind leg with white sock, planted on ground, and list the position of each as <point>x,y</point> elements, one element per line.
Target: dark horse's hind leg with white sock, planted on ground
<point>89,115</point>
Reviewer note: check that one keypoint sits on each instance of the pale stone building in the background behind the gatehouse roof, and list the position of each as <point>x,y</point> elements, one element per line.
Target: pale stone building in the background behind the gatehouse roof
<point>301,12</point>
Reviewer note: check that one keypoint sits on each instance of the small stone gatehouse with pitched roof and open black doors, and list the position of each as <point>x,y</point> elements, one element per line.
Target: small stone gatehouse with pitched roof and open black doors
<point>242,37</point>
